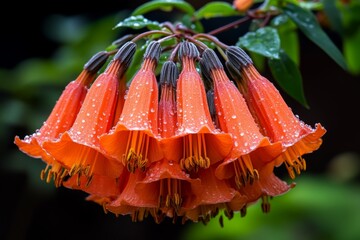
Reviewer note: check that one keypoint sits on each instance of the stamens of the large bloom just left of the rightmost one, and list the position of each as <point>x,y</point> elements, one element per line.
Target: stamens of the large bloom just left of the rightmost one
<point>244,171</point>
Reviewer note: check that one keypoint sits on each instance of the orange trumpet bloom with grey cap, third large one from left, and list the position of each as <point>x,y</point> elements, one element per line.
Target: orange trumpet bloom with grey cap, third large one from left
<point>137,127</point>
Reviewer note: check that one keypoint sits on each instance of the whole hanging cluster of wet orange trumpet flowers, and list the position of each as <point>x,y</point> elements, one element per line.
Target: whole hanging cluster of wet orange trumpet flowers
<point>189,142</point>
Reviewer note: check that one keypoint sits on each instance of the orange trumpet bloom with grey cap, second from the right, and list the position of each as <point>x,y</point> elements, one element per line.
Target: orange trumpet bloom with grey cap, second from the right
<point>250,148</point>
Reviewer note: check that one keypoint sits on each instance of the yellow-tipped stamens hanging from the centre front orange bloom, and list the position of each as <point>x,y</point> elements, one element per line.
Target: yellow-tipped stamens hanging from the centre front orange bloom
<point>194,153</point>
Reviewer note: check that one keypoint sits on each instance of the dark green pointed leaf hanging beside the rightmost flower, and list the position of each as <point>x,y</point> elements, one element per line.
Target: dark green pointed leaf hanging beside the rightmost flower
<point>288,76</point>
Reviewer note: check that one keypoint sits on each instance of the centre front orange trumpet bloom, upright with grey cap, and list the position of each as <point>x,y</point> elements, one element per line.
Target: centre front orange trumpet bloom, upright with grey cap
<point>200,143</point>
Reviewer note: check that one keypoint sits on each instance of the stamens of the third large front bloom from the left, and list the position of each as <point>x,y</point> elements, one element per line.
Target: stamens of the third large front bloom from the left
<point>137,148</point>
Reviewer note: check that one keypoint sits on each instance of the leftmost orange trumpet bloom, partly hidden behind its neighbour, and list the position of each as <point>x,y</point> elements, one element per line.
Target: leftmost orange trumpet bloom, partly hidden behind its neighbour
<point>61,119</point>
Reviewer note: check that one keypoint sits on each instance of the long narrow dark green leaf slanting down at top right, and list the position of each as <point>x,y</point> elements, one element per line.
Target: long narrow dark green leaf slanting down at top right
<point>308,24</point>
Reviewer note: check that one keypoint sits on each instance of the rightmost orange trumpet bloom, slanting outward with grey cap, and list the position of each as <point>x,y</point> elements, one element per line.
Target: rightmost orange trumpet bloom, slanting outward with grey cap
<point>274,116</point>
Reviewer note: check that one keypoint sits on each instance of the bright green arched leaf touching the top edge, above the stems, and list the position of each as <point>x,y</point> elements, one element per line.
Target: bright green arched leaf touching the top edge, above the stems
<point>164,5</point>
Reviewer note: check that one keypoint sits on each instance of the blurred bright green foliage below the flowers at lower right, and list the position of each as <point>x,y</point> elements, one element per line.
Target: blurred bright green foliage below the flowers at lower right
<point>320,208</point>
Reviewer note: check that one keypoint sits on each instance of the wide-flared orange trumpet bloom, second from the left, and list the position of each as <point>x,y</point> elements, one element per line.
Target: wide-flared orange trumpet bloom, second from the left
<point>78,149</point>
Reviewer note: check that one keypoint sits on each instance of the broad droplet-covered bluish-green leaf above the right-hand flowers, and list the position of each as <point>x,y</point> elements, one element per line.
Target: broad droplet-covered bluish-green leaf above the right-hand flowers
<point>264,41</point>
